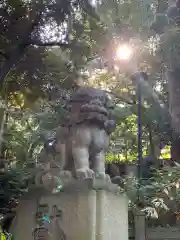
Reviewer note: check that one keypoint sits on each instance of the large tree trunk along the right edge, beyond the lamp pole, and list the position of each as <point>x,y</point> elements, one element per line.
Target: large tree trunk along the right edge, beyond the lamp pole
<point>170,37</point>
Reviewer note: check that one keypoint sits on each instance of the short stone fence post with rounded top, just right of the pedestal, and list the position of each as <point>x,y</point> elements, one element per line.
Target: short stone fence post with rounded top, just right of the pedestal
<point>140,225</point>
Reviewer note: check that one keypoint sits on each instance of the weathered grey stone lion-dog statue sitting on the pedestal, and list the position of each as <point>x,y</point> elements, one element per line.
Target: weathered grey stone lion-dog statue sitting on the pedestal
<point>83,136</point>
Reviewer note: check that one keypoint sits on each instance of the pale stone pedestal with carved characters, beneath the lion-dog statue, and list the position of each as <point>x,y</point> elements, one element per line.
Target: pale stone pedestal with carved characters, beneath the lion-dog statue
<point>84,210</point>
